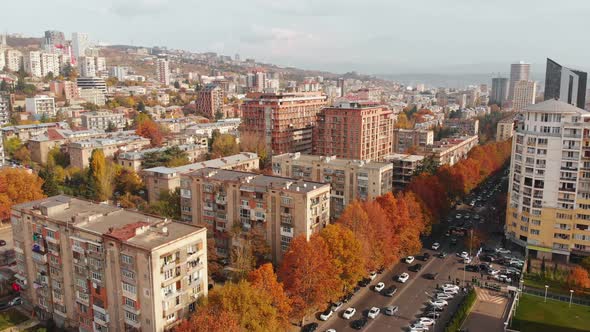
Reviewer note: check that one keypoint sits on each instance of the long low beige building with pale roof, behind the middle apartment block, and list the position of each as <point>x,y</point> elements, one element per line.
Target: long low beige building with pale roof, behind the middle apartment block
<point>159,179</point>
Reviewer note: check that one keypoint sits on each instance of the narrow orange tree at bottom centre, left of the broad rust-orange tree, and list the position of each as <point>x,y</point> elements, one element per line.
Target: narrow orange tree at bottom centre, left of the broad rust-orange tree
<point>265,280</point>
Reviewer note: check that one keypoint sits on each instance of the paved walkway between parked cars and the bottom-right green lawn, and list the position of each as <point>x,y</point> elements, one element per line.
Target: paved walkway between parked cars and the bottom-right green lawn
<point>487,314</point>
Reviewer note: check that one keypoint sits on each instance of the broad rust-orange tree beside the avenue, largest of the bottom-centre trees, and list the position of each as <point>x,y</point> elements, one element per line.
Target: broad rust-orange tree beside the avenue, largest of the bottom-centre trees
<point>309,276</point>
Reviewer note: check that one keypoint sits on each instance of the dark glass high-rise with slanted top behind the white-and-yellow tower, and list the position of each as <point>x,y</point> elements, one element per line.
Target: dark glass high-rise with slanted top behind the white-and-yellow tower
<point>565,84</point>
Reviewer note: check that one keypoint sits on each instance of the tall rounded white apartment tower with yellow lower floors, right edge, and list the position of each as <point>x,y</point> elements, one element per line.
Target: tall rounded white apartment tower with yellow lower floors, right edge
<point>549,188</point>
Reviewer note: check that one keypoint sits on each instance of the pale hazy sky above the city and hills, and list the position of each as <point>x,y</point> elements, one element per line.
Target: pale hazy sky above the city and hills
<point>369,36</point>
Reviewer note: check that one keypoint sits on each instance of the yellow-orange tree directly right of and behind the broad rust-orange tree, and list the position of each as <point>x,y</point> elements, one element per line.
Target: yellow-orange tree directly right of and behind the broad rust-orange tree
<point>346,254</point>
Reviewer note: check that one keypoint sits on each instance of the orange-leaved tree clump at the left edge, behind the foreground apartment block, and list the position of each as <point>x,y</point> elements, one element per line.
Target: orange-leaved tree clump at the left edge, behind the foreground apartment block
<point>18,186</point>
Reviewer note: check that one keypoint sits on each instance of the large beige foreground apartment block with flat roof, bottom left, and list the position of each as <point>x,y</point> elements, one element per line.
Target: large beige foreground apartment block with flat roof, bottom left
<point>96,267</point>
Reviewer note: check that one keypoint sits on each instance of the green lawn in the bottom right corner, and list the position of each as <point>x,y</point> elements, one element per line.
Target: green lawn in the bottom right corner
<point>533,315</point>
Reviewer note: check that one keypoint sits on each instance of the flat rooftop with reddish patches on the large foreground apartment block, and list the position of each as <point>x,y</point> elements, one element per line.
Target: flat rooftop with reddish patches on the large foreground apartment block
<point>138,229</point>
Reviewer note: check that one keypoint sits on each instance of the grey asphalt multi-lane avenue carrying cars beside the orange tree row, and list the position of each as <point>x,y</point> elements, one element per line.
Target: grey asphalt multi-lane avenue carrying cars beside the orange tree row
<point>412,296</point>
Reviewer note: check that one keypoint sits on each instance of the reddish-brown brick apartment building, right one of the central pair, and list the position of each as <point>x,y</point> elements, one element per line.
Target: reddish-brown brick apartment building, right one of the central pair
<point>354,130</point>
